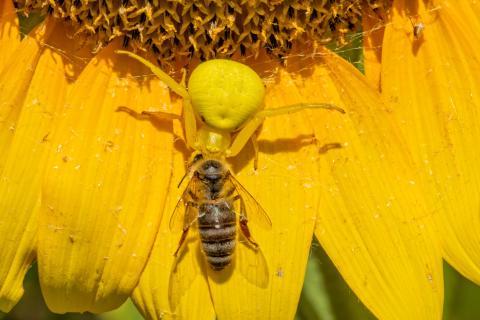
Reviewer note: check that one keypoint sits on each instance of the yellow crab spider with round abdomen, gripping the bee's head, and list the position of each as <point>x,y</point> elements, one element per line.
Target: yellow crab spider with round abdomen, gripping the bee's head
<point>226,97</point>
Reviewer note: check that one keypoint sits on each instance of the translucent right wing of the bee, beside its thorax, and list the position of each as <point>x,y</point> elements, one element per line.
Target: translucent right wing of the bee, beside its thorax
<point>253,210</point>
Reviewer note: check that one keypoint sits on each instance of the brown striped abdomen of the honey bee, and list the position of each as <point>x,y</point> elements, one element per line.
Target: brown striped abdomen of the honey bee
<point>217,229</point>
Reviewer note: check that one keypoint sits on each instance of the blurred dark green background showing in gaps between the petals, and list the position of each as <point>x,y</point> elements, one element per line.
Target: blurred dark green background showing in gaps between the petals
<point>325,295</point>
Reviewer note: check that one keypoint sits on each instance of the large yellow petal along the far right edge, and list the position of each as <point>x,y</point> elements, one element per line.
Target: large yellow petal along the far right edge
<point>433,85</point>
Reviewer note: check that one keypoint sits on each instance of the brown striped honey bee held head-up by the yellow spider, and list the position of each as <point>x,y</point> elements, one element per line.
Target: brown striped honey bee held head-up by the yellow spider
<point>212,199</point>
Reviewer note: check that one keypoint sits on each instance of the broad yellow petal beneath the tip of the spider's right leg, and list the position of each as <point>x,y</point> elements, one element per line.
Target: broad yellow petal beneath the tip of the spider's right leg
<point>373,221</point>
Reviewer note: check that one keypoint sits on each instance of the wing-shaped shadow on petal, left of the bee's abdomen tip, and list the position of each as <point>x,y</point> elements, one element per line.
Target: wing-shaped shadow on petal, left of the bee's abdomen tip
<point>184,269</point>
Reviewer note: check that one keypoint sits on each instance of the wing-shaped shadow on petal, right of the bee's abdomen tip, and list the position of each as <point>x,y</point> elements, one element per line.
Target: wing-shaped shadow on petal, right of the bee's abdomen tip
<point>252,264</point>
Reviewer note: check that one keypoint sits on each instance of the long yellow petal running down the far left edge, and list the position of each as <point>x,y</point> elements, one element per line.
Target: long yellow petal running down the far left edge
<point>28,107</point>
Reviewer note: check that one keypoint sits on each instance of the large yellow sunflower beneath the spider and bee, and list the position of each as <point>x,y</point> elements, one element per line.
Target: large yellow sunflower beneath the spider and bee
<point>88,191</point>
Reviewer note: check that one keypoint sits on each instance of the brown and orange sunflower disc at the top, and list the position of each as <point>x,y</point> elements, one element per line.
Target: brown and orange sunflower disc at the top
<point>210,29</point>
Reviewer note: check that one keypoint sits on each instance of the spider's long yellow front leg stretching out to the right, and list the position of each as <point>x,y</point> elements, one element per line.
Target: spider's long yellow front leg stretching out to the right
<point>252,125</point>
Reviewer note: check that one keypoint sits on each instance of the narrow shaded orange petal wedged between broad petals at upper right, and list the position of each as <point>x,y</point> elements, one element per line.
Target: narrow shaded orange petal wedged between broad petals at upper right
<point>374,28</point>
